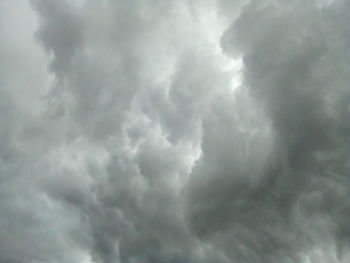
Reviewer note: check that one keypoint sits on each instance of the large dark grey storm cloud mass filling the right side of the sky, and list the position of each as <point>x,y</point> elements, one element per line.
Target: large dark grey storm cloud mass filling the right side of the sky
<point>294,71</point>
